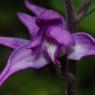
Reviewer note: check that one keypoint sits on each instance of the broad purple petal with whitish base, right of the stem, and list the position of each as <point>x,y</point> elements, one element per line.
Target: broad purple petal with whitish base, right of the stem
<point>85,46</point>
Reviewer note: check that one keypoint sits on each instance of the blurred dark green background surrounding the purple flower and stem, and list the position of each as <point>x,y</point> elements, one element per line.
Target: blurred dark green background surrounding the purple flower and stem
<point>42,81</point>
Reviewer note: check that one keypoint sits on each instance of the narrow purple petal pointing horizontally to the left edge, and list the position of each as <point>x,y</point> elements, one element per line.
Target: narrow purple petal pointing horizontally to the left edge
<point>12,42</point>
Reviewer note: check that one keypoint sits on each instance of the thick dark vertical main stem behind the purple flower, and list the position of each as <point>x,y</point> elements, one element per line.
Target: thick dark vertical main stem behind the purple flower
<point>70,64</point>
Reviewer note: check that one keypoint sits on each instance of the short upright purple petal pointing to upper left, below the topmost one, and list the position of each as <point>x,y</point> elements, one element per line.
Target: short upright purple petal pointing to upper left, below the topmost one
<point>29,22</point>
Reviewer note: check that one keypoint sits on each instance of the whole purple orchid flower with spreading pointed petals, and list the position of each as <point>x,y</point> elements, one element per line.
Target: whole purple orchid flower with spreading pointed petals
<point>50,39</point>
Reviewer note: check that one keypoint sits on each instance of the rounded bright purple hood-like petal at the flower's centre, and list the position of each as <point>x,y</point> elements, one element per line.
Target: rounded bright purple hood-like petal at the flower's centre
<point>61,35</point>
